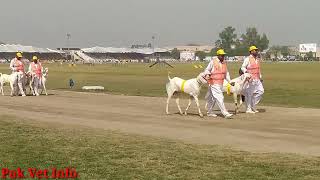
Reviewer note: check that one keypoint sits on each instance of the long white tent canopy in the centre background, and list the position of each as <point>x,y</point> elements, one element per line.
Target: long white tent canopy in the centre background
<point>98,49</point>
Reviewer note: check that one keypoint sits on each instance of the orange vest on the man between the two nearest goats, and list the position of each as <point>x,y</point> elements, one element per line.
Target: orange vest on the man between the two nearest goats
<point>219,72</point>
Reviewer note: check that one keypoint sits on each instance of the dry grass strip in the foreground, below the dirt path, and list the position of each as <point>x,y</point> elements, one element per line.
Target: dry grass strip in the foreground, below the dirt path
<point>112,155</point>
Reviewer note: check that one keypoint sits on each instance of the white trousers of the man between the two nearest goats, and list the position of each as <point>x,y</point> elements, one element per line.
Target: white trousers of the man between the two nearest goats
<point>216,96</point>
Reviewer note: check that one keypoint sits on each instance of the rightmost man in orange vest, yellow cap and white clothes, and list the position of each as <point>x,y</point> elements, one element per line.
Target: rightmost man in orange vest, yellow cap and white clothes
<point>255,89</point>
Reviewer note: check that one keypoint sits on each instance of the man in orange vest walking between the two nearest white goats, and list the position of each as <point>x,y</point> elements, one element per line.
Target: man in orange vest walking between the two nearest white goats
<point>216,73</point>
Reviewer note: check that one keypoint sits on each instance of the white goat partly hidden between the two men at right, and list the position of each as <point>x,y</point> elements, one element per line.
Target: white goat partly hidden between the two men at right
<point>236,90</point>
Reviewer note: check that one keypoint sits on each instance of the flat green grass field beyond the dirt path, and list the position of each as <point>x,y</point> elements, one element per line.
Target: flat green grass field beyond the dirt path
<point>286,84</point>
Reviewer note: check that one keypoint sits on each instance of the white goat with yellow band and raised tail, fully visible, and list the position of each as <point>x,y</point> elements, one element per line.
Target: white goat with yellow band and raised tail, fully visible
<point>192,87</point>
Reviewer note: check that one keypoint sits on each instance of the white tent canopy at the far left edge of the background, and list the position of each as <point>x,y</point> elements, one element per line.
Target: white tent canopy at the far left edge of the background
<point>12,48</point>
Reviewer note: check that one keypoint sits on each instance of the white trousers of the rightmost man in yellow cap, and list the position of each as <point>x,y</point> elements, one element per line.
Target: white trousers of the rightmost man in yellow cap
<point>254,94</point>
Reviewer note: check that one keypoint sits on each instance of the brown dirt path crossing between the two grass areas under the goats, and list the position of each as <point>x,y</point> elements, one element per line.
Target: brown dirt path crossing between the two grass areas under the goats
<point>293,130</point>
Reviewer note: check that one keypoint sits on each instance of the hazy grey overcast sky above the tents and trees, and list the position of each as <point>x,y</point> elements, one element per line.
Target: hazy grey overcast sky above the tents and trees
<point>45,23</point>
